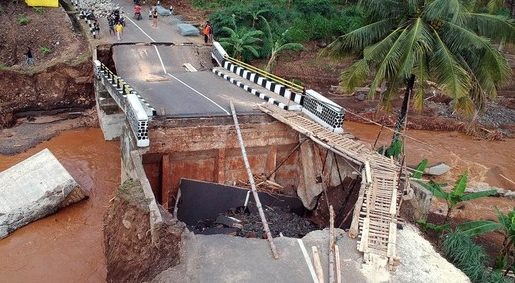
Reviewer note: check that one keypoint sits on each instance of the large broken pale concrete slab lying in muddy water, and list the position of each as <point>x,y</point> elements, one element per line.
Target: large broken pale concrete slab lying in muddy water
<point>35,188</point>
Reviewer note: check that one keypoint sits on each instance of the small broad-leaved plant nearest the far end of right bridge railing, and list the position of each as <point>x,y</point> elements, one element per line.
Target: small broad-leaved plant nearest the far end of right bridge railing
<point>241,41</point>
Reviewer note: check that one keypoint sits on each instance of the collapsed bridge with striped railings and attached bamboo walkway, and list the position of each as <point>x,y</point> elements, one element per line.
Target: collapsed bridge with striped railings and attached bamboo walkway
<point>171,113</point>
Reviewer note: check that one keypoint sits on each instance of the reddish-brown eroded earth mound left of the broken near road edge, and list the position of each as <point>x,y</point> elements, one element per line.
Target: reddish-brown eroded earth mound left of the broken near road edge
<point>133,252</point>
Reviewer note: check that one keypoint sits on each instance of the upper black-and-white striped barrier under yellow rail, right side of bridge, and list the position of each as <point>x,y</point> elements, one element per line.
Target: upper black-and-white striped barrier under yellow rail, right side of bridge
<point>268,84</point>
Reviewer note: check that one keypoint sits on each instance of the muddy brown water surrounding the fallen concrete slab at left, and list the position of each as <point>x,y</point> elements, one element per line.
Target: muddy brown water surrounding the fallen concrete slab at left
<point>66,246</point>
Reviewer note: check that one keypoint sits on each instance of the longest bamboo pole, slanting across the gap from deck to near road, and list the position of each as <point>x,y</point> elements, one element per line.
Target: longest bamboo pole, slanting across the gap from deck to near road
<point>253,184</point>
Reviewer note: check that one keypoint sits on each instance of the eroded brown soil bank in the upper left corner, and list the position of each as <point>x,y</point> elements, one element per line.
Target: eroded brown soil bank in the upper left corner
<point>61,78</point>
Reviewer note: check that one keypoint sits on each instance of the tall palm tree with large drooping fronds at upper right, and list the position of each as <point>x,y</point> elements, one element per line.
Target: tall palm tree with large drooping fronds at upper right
<point>412,42</point>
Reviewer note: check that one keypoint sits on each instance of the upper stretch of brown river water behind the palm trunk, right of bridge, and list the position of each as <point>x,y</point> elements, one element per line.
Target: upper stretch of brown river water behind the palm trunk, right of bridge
<point>487,161</point>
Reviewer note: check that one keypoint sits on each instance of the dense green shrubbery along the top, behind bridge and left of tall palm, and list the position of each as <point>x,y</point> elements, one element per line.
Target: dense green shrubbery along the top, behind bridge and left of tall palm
<point>305,20</point>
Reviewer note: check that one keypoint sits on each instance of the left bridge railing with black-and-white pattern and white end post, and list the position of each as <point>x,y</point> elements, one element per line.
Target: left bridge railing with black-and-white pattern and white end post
<point>127,100</point>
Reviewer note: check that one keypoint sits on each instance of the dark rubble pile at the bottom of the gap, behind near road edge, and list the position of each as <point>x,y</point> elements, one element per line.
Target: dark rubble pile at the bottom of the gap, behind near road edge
<point>247,223</point>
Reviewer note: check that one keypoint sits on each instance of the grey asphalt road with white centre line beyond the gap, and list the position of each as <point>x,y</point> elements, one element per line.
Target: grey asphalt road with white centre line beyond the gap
<point>157,72</point>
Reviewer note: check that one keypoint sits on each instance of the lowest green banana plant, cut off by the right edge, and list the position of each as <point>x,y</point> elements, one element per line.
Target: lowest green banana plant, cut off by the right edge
<point>506,225</point>
